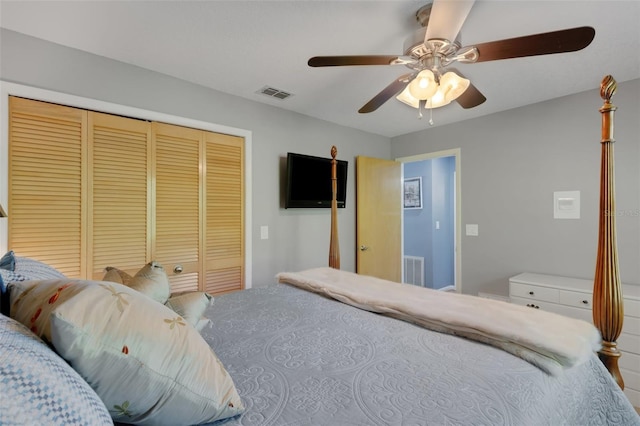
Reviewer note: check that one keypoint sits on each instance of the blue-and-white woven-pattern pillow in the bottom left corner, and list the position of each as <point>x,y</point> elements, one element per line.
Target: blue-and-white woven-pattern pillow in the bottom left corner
<point>39,387</point>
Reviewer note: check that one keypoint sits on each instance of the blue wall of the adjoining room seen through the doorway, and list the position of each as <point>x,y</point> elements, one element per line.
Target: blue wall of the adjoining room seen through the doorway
<point>421,238</point>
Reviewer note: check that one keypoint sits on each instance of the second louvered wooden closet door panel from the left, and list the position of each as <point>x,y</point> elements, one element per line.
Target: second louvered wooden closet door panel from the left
<point>121,205</point>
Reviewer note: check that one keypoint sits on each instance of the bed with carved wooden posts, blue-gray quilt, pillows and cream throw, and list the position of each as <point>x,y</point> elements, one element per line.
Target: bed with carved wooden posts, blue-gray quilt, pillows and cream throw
<point>315,348</point>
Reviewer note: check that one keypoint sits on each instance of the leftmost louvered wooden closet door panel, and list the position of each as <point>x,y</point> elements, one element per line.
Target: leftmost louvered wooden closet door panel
<point>46,181</point>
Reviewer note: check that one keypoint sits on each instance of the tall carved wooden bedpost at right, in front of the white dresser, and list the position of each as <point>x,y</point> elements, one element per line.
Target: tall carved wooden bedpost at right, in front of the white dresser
<point>608,309</point>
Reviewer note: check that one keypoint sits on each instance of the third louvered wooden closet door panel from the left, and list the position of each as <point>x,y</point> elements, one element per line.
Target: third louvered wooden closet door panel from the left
<point>178,198</point>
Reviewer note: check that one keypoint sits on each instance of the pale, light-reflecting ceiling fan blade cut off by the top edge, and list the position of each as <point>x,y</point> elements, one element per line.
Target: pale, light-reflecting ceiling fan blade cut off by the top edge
<point>446,18</point>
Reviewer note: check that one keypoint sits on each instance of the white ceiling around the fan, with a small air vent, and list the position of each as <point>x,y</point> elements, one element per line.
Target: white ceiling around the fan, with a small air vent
<point>239,47</point>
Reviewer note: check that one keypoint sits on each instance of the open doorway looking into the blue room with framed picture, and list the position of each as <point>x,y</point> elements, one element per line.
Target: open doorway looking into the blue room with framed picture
<point>431,222</point>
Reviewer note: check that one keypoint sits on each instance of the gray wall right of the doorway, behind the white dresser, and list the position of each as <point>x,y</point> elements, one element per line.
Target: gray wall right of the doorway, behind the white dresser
<point>512,162</point>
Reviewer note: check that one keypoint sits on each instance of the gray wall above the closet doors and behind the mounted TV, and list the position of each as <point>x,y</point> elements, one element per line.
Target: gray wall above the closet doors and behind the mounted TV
<point>297,238</point>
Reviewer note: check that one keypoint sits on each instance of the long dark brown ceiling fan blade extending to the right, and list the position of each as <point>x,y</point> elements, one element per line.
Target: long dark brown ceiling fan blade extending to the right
<point>569,40</point>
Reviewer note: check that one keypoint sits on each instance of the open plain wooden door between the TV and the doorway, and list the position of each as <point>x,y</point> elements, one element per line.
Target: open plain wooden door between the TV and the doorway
<point>378,221</point>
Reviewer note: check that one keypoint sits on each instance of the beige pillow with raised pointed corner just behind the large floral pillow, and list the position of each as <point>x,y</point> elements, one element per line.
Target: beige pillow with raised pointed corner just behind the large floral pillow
<point>151,280</point>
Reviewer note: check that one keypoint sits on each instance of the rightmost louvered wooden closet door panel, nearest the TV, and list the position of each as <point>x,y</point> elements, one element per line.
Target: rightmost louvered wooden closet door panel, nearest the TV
<point>224,213</point>
